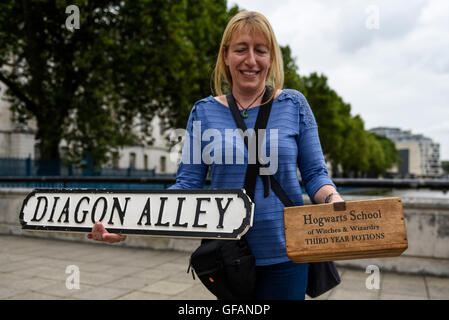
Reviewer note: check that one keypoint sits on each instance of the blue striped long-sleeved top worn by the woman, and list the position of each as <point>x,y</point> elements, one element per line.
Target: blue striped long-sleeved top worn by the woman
<point>226,157</point>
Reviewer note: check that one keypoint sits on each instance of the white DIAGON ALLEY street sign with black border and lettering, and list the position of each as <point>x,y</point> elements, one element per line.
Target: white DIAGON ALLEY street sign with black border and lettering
<point>224,213</point>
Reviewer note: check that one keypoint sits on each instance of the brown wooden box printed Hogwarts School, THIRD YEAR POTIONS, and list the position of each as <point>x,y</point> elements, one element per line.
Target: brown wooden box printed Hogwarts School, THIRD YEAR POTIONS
<point>345,230</point>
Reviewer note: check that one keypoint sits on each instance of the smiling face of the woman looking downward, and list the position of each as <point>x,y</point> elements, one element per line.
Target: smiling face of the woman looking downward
<point>248,60</point>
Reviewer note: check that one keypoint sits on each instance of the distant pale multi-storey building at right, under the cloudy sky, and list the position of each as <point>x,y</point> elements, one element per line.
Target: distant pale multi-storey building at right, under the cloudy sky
<point>420,155</point>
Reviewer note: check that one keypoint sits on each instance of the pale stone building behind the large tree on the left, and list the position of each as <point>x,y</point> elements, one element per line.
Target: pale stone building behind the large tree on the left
<point>18,141</point>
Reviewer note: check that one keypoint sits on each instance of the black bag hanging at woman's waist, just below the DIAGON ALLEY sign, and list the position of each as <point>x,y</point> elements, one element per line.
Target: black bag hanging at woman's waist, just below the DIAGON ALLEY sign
<point>227,268</point>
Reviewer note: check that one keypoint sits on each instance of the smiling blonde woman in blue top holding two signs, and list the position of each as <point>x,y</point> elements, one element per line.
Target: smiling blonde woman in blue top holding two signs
<point>248,60</point>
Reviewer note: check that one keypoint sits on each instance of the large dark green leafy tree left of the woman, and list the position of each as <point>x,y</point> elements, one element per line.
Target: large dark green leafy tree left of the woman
<point>92,87</point>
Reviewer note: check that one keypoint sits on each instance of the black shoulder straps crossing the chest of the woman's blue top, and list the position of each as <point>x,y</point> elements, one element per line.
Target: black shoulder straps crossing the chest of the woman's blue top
<point>252,170</point>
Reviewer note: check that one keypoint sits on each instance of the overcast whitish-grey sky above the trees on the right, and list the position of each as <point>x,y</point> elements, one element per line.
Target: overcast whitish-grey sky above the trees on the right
<point>388,59</point>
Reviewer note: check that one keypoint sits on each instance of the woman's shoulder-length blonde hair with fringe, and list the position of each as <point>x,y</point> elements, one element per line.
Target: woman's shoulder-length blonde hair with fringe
<point>256,23</point>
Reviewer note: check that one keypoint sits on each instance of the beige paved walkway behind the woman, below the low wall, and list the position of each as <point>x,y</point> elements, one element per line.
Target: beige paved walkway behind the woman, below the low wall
<point>34,268</point>
